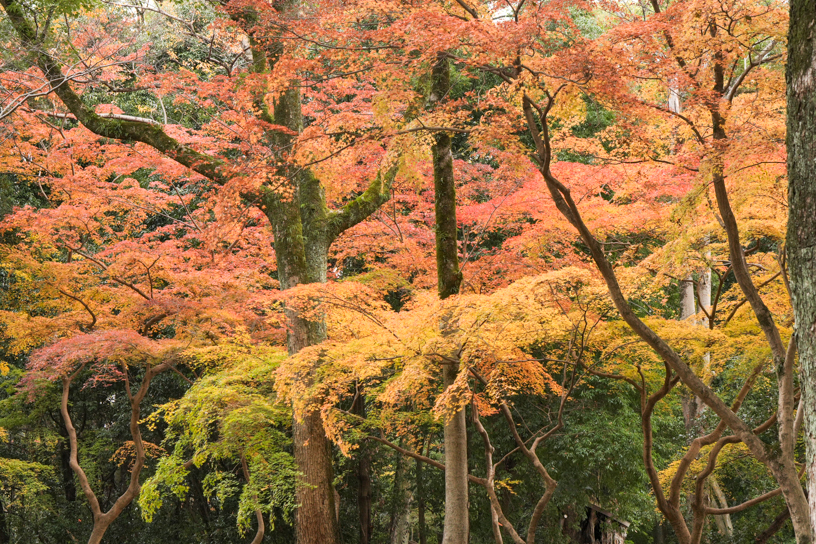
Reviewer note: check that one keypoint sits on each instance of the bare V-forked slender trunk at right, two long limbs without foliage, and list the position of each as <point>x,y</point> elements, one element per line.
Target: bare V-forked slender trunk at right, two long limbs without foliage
<point>782,466</point>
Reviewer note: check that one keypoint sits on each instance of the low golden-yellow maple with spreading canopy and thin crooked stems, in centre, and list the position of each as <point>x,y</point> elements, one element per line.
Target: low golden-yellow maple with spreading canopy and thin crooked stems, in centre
<point>484,335</point>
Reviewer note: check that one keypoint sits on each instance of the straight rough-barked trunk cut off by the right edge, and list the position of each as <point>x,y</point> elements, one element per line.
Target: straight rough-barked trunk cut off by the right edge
<point>801,240</point>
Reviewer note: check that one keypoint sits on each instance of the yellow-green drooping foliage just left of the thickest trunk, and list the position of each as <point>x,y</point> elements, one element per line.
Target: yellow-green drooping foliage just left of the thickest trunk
<point>229,414</point>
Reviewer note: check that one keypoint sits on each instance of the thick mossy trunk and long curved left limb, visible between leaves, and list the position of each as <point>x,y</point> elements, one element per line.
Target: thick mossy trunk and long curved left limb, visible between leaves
<point>301,226</point>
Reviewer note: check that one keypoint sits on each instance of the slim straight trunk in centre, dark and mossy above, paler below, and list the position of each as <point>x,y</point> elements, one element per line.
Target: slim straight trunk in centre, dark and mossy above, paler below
<point>449,276</point>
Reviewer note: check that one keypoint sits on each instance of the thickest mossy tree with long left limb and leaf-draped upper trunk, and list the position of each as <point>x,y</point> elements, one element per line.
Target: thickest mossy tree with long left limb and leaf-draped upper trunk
<point>303,225</point>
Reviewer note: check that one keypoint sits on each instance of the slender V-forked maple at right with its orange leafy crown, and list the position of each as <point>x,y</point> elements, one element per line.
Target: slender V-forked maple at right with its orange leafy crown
<point>572,69</point>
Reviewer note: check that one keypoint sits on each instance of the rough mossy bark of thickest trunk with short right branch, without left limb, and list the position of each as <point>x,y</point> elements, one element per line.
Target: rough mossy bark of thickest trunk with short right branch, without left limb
<point>303,229</point>
